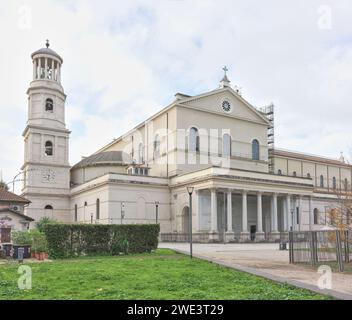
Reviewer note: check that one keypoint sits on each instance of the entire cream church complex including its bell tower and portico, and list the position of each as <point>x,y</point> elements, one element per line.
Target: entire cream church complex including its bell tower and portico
<point>215,144</point>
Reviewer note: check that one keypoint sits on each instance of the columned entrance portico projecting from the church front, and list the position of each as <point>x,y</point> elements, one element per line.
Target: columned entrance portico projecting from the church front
<point>233,208</point>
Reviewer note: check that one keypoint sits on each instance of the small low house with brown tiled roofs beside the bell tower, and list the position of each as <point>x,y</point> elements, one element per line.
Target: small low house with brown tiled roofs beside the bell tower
<point>12,211</point>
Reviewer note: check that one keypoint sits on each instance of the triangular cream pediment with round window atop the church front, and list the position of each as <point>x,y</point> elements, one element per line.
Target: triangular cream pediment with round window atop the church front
<point>213,102</point>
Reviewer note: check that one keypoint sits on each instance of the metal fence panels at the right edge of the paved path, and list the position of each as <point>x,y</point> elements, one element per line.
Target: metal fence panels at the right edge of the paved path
<point>315,247</point>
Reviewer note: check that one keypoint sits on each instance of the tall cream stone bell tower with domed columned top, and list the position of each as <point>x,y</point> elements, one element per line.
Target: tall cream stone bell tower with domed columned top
<point>46,167</point>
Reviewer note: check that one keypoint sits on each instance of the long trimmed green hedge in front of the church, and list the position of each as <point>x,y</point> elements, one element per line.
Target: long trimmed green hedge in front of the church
<point>73,240</point>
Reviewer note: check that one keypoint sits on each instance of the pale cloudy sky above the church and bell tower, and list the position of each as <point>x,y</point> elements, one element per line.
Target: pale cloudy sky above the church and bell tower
<point>125,60</point>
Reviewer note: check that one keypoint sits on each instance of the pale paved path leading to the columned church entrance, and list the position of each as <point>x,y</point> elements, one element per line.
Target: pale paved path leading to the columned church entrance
<point>267,260</point>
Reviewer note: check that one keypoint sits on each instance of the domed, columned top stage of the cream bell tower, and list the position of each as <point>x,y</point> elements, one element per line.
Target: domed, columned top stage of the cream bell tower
<point>46,64</point>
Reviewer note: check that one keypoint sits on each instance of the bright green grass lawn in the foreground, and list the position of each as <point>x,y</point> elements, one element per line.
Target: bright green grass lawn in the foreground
<point>163,274</point>
